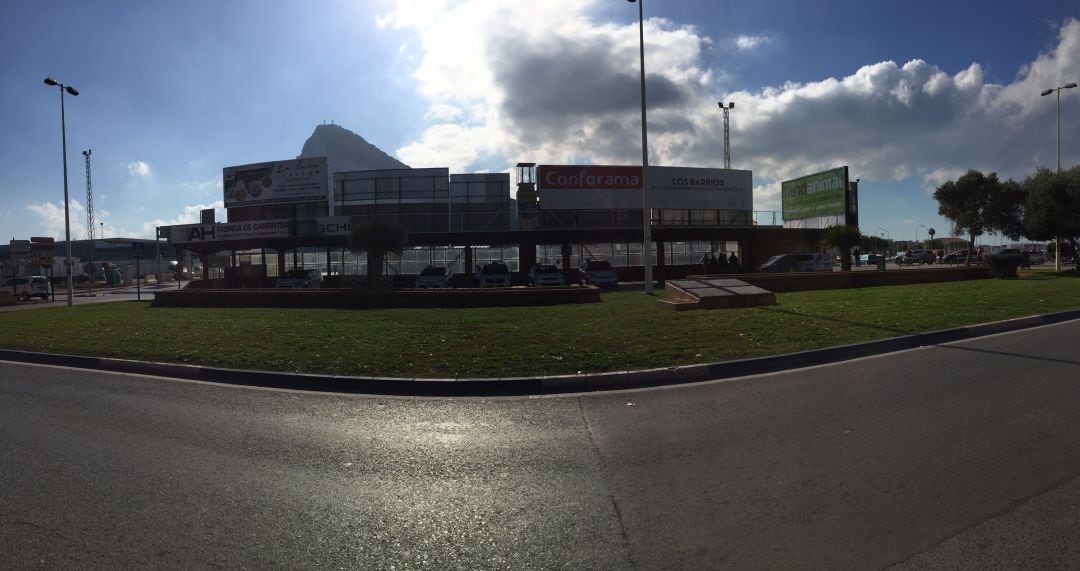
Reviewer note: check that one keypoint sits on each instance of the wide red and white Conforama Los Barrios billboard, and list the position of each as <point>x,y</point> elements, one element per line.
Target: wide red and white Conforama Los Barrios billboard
<point>589,187</point>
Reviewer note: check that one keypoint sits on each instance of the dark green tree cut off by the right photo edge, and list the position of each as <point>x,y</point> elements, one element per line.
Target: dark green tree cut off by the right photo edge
<point>1052,206</point>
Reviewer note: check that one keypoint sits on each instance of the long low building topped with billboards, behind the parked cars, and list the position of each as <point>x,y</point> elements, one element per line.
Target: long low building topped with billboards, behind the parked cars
<point>289,214</point>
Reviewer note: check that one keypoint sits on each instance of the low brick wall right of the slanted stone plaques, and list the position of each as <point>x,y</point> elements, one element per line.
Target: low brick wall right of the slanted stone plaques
<point>811,281</point>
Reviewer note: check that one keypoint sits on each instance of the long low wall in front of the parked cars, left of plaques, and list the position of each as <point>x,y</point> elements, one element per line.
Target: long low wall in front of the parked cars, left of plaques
<point>376,298</point>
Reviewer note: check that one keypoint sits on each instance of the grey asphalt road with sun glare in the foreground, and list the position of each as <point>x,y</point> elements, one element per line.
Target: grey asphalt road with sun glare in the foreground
<point>962,456</point>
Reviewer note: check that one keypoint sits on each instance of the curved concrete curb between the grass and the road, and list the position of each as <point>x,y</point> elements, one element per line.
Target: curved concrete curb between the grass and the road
<point>534,386</point>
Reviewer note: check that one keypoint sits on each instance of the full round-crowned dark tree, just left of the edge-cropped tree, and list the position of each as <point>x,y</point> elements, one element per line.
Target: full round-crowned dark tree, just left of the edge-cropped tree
<point>977,203</point>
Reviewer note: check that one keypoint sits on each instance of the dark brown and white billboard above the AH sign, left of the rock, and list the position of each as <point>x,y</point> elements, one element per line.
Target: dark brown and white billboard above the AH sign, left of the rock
<point>276,183</point>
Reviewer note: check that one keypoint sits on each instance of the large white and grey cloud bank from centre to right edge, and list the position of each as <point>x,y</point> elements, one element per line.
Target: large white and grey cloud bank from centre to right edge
<point>569,92</point>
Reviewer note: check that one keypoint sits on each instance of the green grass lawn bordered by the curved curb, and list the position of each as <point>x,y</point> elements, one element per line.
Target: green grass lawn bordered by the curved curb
<point>626,332</point>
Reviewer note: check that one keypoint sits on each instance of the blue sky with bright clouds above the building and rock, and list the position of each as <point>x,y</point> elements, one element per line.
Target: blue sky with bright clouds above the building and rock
<point>908,94</point>
